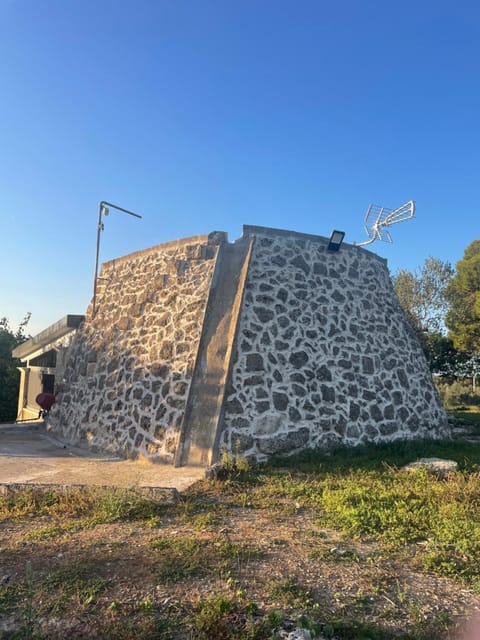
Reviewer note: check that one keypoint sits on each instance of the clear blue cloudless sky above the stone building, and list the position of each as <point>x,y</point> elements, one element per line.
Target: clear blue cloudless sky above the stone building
<point>204,115</point>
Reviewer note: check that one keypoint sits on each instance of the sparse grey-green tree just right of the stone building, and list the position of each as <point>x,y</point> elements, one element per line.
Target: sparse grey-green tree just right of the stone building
<point>422,294</point>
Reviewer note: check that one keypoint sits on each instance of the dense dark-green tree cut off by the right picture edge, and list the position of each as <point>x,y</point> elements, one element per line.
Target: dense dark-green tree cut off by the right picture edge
<point>463,295</point>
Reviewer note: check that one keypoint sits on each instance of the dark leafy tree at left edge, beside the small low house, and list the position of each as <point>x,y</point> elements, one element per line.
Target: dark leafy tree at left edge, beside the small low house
<point>9,375</point>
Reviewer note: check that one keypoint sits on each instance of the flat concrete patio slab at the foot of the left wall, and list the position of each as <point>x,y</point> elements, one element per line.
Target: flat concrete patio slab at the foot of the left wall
<point>31,455</point>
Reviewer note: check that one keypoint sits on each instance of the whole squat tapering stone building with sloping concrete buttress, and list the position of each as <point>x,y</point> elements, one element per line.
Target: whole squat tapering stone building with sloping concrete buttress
<point>267,345</point>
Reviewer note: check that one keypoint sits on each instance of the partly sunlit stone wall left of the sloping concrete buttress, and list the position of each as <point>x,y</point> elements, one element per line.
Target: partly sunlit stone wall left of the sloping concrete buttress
<point>129,369</point>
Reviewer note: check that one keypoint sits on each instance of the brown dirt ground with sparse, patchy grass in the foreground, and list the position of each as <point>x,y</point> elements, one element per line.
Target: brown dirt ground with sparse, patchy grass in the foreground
<point>287,563</point>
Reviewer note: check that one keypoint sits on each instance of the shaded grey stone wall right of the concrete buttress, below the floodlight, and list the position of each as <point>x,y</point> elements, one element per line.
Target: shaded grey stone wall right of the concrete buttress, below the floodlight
<point>324,354</point>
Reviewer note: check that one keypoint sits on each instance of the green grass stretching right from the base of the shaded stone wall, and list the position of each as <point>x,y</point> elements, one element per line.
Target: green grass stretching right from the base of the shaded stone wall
<point>364,492</point>
